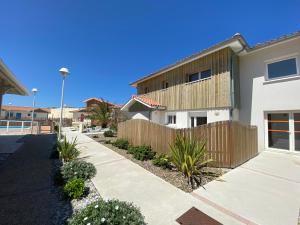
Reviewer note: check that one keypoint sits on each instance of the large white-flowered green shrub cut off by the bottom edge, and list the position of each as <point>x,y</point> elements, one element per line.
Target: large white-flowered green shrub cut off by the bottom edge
<point>108,212</point>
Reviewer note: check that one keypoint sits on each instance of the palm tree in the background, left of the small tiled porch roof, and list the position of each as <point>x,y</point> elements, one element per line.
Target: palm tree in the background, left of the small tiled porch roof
<point>101,113</point>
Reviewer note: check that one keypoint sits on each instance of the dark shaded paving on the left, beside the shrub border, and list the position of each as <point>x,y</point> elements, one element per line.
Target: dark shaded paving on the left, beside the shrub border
<point>25,180</point>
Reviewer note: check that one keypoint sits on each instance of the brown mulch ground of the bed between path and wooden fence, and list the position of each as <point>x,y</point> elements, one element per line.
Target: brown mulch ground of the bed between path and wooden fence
<point>172,176</point>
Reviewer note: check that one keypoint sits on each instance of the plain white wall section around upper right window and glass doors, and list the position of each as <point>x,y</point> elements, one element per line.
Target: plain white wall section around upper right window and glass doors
<point>257,95</point>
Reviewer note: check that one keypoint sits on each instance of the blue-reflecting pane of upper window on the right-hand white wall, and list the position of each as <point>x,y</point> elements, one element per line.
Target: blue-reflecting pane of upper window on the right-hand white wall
<point>282,68</point>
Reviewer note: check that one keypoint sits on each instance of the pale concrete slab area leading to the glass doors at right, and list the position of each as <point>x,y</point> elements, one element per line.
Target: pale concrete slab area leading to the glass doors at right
<point>265,190</point>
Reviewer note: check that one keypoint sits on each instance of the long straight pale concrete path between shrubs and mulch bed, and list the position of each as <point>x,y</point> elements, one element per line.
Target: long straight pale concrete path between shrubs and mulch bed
<point>119,178</point>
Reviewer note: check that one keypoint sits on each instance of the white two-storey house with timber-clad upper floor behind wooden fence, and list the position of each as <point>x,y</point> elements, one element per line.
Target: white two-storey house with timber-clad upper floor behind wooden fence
<point>257,85</point>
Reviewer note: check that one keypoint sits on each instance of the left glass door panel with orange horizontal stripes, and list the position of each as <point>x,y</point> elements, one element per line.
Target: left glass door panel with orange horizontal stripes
<point>278,130</point>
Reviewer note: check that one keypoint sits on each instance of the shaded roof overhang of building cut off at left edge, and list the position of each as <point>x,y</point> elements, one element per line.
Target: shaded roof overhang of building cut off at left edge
<point>9,84</point>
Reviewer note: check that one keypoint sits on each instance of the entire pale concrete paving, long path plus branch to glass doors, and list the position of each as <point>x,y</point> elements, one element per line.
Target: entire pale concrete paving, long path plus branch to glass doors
<point>264,191</point>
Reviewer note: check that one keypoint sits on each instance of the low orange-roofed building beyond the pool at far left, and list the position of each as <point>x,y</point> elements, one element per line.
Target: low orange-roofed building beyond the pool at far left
<point>23,113</point>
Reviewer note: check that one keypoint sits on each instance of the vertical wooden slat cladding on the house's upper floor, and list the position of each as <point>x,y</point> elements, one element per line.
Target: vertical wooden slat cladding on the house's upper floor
<point>209,93</point>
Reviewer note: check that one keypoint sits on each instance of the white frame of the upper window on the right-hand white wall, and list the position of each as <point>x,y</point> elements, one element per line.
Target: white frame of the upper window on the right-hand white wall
<point>283,58</point>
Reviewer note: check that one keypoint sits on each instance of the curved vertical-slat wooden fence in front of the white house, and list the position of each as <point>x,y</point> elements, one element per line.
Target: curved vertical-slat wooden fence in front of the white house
<point>229,143</point>
